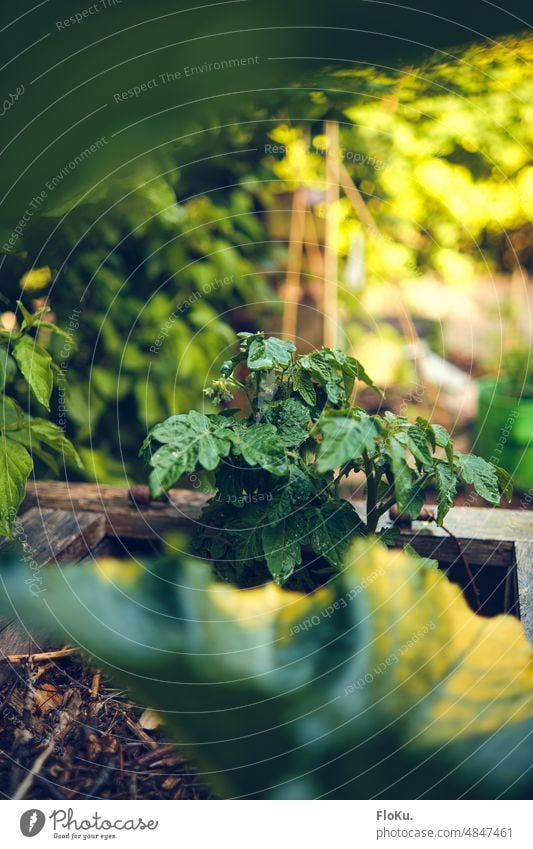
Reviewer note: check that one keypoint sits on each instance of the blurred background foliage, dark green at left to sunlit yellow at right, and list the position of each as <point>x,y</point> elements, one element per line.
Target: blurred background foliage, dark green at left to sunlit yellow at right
<point>163,261</point>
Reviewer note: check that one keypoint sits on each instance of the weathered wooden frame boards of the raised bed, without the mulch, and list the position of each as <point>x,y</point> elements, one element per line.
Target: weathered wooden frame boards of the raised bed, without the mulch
<point>63,522</point>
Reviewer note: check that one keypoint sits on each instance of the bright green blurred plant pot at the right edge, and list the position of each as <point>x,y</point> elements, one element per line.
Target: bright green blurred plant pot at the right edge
<point>504,430</point>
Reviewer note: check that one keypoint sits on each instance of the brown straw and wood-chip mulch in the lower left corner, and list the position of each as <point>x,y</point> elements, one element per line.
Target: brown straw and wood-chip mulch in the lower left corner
<point>65,733</point>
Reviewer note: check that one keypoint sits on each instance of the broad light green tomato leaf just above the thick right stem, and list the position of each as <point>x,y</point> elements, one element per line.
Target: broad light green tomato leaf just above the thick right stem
<point>344,439</point>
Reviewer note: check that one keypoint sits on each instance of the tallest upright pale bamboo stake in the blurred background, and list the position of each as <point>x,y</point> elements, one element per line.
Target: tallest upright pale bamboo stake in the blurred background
<point>331,256</point>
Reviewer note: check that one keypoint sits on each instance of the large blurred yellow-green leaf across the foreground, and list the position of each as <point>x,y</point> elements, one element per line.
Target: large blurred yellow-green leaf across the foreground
<point>383,684</point>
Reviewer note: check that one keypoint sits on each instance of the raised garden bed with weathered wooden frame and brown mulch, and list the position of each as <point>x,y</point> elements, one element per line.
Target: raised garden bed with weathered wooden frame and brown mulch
<point>66,733</point>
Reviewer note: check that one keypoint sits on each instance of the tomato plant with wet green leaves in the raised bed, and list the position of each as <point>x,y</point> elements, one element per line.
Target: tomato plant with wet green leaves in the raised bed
<point>277,509</point>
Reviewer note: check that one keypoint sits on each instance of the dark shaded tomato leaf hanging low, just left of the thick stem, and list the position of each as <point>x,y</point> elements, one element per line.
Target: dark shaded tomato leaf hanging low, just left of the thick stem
<point>337,524</point>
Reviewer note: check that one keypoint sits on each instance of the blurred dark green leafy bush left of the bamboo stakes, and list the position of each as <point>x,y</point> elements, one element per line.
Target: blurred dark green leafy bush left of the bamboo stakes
<point>146,286</point>
